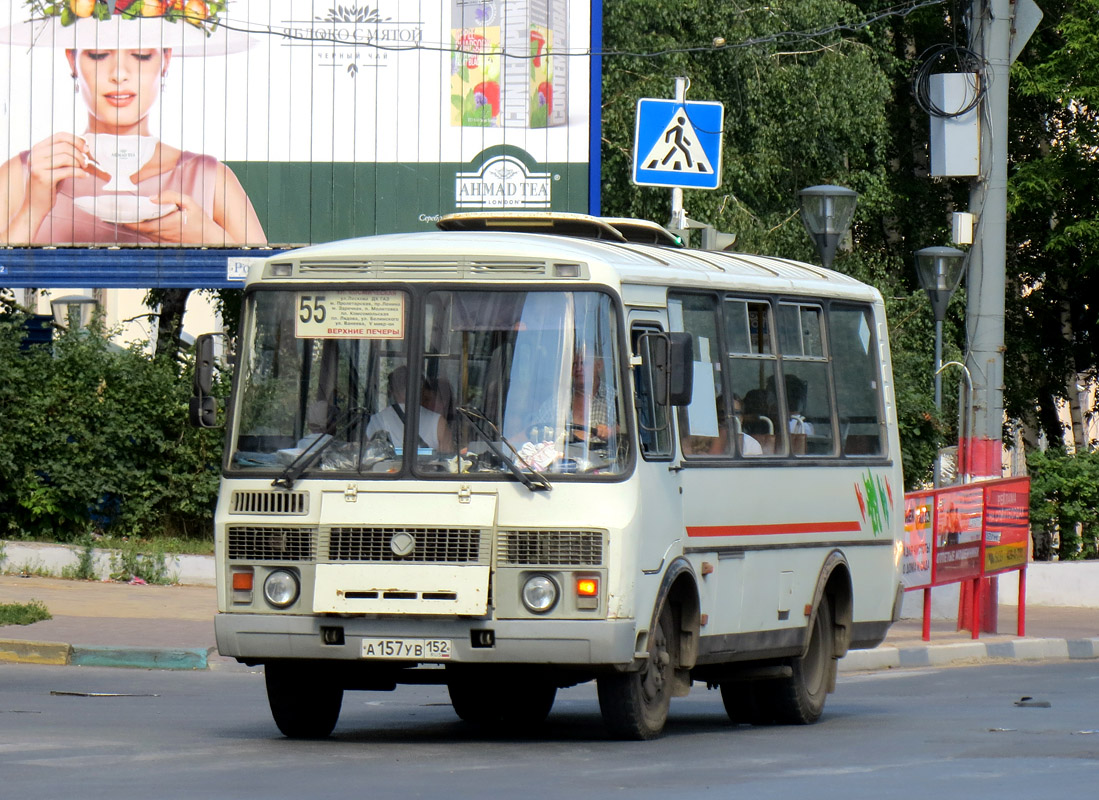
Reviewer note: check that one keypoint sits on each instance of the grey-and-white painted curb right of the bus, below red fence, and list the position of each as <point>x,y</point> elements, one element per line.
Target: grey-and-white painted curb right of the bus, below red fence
<point>1023,650</point>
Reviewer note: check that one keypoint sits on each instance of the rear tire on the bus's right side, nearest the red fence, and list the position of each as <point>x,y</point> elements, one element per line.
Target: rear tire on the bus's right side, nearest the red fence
<point>800,701</point>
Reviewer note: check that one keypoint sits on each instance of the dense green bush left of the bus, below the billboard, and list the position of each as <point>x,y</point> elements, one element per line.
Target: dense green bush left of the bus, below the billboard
<point>97,440</point>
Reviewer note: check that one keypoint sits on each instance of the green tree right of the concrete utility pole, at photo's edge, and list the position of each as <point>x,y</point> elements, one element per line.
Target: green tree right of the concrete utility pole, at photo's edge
<point>1053,249</point>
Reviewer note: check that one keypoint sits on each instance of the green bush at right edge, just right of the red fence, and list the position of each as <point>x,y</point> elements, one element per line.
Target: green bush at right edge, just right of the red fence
<point>1065,502</point>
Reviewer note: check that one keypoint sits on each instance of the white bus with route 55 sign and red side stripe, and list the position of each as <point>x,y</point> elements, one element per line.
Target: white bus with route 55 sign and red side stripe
<point>627,462</point>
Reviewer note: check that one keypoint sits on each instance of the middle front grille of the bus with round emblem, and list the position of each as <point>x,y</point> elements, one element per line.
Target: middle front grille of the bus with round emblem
<point>426,546</point>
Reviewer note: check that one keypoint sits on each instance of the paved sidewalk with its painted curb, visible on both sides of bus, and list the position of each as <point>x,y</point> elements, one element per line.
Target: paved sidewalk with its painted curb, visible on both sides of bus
<point>172,628</point>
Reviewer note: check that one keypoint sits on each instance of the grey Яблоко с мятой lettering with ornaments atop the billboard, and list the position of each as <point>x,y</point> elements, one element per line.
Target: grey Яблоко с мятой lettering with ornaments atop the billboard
<point>352,30</point>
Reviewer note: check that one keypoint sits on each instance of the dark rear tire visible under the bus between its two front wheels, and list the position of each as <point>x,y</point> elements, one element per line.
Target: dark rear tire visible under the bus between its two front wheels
<point>490,702</point>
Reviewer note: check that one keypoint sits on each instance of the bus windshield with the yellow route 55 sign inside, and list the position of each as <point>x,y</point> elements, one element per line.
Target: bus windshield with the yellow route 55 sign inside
<point>506,383</point>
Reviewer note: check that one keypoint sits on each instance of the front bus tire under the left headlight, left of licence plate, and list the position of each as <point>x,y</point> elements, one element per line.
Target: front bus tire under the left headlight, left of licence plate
<point>303,703</point>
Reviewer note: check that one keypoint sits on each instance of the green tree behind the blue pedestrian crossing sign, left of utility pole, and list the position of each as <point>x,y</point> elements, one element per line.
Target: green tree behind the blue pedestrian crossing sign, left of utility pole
<point>834,108</point>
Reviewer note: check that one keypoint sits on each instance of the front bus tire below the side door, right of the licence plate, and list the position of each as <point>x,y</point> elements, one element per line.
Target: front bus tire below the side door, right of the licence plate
<point>636,705</point>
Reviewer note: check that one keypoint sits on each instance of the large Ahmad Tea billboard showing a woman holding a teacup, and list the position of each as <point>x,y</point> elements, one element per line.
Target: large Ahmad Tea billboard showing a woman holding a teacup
<point>187,125</point>
